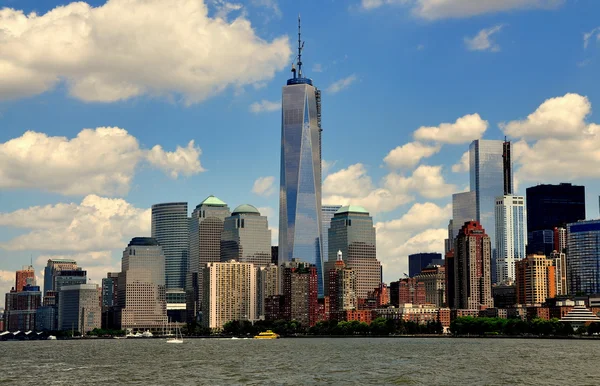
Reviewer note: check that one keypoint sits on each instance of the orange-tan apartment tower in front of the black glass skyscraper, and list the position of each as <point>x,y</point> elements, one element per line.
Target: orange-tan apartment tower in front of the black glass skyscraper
<point>536,280</point>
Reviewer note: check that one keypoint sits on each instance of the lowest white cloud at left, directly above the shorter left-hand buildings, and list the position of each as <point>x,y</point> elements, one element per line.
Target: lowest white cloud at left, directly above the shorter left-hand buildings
<point>96,224</point>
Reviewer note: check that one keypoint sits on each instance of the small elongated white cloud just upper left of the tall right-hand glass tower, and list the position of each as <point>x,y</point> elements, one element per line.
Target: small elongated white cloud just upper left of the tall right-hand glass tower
<point>464,130</point>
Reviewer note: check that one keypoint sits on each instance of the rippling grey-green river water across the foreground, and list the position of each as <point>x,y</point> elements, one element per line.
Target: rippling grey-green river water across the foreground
<point>348,361</point>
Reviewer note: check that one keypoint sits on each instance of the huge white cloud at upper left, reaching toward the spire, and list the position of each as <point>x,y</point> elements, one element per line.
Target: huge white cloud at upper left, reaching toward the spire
<point>119,50</point>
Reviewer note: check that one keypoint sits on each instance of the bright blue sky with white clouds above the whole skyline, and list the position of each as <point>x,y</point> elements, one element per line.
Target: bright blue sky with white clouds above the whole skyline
<point>108,107</point>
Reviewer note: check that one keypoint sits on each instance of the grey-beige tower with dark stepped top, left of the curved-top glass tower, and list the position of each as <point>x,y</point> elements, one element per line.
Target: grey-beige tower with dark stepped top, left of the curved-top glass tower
<point>141,288</point>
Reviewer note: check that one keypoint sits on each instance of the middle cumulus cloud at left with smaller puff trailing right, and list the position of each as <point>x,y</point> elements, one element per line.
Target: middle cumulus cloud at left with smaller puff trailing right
<point>101,161</point>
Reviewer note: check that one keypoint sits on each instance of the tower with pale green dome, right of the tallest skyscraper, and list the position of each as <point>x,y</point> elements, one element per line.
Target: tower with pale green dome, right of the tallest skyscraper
<point>353,234</point>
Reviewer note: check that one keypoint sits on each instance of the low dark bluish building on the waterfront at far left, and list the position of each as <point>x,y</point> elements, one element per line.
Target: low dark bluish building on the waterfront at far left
<point>20,308</point>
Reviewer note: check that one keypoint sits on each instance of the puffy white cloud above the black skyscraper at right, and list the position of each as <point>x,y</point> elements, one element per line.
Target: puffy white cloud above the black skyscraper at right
<point>559,117</point>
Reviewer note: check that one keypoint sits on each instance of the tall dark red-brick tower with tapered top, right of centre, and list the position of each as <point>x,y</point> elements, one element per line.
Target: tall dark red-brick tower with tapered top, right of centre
<point>472,278</point>
